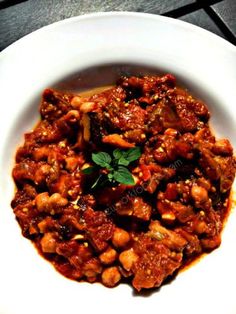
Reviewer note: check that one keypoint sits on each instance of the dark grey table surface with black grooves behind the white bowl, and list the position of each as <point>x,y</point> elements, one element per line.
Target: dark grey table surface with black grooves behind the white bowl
<point>18,17</point>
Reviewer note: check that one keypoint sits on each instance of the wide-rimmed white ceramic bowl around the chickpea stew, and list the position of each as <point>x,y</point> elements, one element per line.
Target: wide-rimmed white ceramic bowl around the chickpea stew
<point>109,43</point>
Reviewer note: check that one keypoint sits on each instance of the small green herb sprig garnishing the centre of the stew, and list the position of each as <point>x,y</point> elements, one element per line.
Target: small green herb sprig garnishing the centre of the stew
<point>115,166</point>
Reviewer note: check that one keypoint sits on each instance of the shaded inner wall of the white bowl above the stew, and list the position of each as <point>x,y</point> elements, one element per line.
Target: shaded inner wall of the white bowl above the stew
<point>97,76</point>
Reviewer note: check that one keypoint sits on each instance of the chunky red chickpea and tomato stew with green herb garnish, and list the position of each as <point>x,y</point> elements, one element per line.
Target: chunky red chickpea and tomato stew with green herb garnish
<point>126,185</point>
